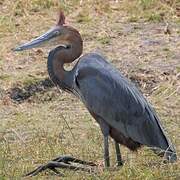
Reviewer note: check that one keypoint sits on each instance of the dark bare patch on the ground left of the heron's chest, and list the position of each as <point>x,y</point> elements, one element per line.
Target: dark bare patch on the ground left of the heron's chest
<point>21,94</point>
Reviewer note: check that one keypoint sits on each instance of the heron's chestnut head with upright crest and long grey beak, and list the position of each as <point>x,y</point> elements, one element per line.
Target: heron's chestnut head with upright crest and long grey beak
<point>59,35</point>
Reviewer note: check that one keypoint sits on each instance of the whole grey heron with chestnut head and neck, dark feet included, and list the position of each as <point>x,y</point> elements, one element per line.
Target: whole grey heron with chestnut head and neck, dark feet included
<point>117,105</point>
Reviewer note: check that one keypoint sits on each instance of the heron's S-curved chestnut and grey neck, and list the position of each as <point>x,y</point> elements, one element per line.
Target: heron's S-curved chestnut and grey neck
<point>60,55</point>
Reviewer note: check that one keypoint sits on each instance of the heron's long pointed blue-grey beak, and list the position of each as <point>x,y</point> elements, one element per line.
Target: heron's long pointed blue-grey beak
<point>41,40</point>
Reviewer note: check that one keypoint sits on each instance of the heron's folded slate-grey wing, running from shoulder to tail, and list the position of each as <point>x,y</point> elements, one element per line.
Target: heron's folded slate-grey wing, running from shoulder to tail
<point>111,96</point>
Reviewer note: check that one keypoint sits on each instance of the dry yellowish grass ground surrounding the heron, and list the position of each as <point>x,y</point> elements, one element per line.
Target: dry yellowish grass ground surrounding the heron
<point>132,35</point>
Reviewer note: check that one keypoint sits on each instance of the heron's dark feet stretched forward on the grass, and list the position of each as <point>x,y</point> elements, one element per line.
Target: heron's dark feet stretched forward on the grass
<point>64,162</point>
